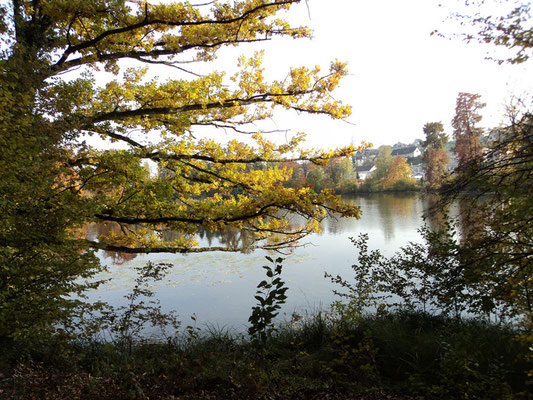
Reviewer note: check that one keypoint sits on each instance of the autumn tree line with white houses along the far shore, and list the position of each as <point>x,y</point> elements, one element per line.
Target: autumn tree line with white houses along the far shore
<point>423,164</point>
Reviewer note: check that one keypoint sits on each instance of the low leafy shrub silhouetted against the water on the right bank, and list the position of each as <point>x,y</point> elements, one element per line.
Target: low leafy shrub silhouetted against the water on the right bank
<point>442,274</point>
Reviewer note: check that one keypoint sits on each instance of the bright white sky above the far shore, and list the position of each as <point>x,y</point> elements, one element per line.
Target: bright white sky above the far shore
<point>400,77</point>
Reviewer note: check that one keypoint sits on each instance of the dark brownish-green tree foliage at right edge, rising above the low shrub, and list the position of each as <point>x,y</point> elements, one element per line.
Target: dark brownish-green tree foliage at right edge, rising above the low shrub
<point>501,244</point>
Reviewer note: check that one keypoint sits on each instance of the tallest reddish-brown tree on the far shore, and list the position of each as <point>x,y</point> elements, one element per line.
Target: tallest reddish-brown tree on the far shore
<point>467,135</point>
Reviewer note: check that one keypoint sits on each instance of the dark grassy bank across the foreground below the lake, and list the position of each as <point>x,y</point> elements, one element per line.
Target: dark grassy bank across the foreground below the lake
<point>403,355</point>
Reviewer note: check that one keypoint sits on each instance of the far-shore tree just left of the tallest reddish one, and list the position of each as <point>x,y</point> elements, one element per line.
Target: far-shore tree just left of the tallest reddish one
<point>434,155</point>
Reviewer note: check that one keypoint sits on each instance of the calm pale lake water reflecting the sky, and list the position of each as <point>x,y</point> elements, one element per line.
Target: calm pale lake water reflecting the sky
<point>218,287</point>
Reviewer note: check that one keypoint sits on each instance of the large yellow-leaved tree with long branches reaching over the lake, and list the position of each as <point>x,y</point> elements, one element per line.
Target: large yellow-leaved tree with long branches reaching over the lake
<point>53,181</point>
